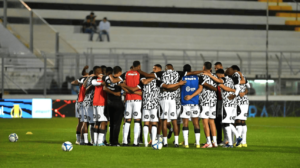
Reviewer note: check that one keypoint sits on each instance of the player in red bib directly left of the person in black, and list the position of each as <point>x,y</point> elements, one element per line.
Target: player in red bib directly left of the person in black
<point>99,102</point>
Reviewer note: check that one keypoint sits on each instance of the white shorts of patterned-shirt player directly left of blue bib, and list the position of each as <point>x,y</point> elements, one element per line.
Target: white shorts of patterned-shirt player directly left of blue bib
<point>169,111</point>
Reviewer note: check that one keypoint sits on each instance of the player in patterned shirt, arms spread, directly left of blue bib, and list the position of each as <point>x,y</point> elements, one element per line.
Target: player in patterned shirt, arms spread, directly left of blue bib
<point>168,103</point>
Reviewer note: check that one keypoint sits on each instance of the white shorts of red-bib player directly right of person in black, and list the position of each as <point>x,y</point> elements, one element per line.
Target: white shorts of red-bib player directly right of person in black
<point>133,109</point>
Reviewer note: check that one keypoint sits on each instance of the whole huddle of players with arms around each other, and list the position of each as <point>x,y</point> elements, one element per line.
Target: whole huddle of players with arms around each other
<point>162,101</point>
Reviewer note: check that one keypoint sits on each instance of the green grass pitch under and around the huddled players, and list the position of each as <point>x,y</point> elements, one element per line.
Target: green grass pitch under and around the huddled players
<point>272,142</point>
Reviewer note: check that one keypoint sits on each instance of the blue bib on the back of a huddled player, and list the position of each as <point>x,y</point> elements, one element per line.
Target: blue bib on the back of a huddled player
<point>192,84</point>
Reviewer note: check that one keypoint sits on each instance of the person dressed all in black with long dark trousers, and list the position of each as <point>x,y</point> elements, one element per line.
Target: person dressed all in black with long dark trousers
<point>115,105</point>
